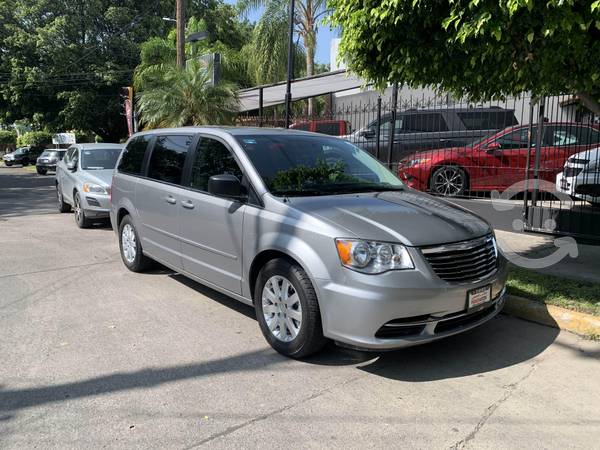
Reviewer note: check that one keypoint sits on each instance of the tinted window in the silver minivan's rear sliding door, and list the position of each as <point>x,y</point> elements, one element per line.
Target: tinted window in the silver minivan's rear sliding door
<point>168,158</point>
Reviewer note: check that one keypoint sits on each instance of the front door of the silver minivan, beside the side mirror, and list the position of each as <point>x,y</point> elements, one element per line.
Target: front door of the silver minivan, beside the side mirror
<point>211,226</point>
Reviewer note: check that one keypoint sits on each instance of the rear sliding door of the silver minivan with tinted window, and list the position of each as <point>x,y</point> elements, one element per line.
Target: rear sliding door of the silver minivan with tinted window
<point>159,196</point>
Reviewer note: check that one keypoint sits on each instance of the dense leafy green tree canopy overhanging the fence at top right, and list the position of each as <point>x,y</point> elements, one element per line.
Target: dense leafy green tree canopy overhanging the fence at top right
<point>479,48</point>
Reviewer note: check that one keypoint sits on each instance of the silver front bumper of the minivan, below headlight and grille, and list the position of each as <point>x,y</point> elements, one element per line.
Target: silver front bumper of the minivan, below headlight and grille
<point>423,307</point>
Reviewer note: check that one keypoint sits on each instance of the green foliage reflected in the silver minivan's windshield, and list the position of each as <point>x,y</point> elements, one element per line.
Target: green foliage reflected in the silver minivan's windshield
<point>298,178</point>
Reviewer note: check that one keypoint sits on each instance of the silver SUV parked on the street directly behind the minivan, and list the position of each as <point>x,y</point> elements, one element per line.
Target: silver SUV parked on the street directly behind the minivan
<point>83,180</point>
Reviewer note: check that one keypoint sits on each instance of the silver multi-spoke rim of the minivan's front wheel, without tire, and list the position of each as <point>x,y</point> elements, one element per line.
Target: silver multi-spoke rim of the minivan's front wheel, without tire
<point>281,308</point>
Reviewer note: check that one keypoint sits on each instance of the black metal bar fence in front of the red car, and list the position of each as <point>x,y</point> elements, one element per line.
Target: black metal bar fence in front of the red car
<point>544,150</point>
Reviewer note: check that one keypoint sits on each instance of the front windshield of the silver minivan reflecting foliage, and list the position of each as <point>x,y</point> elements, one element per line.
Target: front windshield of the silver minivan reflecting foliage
<point>295,165</point>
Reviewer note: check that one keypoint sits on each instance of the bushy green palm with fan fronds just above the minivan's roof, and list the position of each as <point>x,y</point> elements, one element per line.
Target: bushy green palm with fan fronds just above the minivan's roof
<point>173,97</point>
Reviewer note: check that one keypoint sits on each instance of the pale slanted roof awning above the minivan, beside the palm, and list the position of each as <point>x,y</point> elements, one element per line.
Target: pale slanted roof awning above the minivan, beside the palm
<point>274,94</point>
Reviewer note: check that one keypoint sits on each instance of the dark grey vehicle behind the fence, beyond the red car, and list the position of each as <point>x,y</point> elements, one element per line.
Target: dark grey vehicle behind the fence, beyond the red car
<point>428,129</point>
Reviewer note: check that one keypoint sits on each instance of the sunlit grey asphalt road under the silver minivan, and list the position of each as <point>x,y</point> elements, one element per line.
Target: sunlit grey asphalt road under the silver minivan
<point>96,356</point>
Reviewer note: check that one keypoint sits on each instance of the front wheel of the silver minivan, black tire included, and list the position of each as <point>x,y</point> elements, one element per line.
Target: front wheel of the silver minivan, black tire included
<point>301,337</point>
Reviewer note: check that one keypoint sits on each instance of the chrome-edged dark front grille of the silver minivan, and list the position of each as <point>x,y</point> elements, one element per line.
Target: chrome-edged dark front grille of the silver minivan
<point>463,262</point>
